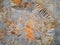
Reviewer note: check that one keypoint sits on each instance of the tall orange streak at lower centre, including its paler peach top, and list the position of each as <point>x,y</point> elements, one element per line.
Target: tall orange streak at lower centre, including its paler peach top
<point>29,31</point>
